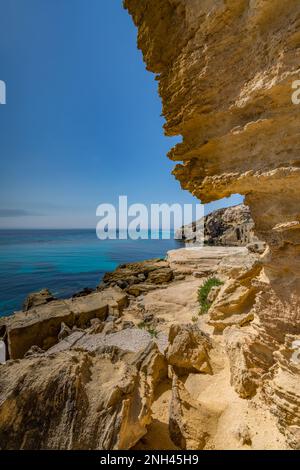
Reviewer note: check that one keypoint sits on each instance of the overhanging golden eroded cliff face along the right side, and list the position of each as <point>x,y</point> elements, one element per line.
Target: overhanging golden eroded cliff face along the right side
<point>225,72</point>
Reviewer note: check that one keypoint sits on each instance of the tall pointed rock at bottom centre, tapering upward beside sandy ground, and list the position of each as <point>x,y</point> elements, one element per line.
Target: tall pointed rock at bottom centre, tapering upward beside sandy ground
<point>190,423</point>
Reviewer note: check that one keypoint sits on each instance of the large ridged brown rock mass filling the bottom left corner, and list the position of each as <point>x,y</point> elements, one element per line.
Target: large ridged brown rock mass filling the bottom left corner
<point>78,400</point>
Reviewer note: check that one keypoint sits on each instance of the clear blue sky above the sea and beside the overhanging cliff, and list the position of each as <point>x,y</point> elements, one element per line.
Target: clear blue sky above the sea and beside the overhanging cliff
<point>82,122</point>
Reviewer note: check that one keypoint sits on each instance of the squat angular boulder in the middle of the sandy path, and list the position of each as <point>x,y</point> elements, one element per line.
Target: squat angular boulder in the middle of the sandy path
<point>188,349</point>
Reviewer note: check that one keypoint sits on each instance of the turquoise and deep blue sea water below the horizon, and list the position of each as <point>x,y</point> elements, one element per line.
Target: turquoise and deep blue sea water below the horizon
<point>64,261</point>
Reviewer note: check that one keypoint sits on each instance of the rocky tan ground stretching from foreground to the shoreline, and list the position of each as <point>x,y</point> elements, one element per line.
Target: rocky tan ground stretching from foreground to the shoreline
<point>134,364</point>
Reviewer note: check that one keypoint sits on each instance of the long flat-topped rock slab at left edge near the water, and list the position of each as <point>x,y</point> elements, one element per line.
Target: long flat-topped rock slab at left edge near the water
<point>41,325</point>
